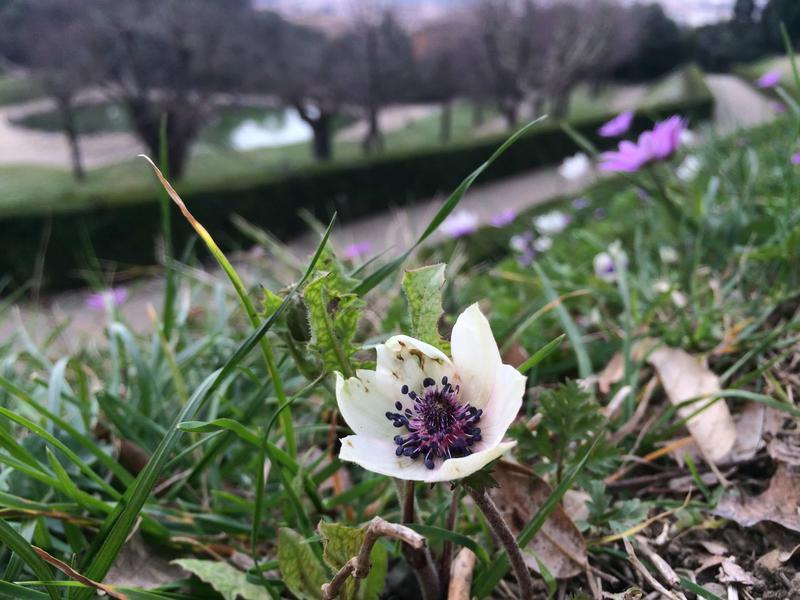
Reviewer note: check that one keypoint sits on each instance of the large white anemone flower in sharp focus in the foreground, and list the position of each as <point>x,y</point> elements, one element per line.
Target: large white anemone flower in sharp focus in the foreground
<point>421,416</point>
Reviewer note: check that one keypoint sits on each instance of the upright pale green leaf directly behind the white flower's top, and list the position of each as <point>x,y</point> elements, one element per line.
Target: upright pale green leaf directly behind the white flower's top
<point>423,288</point>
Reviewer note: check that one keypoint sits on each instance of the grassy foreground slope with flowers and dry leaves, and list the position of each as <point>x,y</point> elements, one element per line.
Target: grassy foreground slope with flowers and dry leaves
<point>650,332</point>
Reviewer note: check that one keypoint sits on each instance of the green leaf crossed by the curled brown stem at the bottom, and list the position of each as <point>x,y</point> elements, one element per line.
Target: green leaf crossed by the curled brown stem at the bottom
<point>341,543</point>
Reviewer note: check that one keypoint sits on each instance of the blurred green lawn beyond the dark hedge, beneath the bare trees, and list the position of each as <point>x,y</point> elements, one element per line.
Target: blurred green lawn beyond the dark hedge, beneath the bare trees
<point>31,190</point>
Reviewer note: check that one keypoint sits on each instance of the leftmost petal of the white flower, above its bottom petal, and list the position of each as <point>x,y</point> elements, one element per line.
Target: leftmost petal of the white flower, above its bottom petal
<point>363,403</point>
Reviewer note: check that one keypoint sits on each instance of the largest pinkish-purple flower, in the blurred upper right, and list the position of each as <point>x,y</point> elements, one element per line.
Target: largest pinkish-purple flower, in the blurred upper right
<point>658,144</point>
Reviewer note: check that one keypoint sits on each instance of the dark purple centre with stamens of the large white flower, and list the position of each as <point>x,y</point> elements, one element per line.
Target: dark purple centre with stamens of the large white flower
<point>439,426</point>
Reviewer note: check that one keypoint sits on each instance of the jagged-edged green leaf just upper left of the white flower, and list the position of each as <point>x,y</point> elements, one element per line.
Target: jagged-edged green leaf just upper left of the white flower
<point>333,316</point>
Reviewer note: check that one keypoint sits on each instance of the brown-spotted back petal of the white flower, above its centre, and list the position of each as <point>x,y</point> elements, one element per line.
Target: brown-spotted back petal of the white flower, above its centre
<point>403,360</point>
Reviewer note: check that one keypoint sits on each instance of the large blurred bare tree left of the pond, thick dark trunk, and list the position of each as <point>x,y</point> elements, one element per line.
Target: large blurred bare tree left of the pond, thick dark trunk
<point>166,60</point>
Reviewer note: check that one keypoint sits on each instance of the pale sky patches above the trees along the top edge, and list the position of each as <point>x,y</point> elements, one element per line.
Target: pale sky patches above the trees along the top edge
<point>690,12</point>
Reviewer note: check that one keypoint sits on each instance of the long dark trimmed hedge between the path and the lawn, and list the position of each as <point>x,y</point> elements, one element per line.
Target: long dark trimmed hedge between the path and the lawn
<point>122,229</point>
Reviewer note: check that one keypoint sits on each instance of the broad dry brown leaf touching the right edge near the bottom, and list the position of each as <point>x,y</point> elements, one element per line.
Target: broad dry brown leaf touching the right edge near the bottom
<point>778,504</point>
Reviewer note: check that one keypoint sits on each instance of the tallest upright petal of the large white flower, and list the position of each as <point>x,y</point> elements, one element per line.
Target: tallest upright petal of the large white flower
<point>475,356</point>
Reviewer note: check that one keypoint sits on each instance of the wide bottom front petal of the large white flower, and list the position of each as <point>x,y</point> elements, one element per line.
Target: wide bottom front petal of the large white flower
<point>378,456</point>
